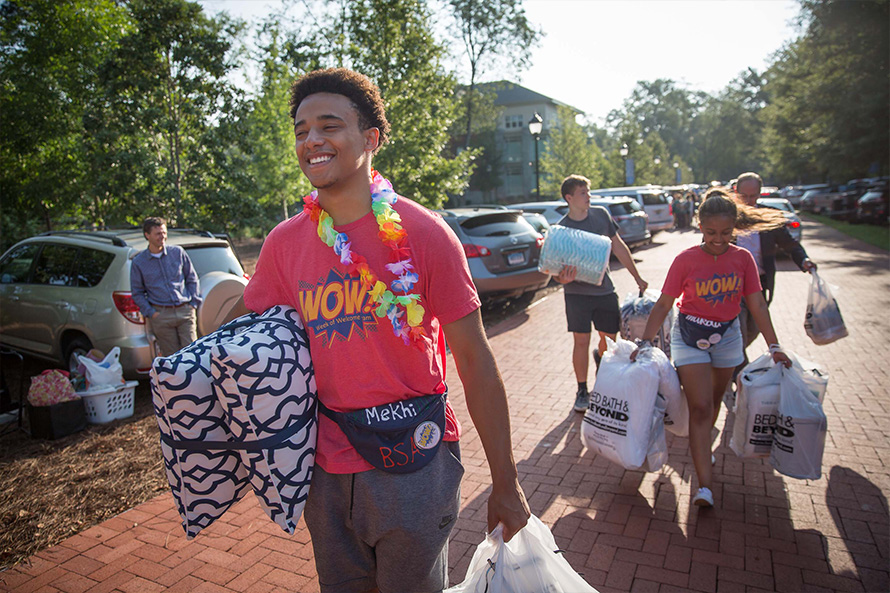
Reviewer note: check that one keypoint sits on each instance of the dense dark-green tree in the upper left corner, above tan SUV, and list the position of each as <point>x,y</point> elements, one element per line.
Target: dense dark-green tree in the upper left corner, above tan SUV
<point>50,53</point>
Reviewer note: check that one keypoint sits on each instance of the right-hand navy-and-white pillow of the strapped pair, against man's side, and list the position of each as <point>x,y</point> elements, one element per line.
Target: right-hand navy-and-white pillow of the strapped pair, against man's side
<point>265,380</point>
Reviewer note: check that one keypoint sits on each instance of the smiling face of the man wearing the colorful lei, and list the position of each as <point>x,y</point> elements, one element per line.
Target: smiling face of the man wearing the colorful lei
<point>332,149</point>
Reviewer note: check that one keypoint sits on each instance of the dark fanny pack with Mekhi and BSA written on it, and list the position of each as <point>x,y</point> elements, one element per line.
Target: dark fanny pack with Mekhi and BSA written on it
<point>398,438</point>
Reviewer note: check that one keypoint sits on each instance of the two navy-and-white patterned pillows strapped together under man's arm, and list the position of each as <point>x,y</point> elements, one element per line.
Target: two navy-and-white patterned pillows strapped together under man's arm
<point>218,438</point>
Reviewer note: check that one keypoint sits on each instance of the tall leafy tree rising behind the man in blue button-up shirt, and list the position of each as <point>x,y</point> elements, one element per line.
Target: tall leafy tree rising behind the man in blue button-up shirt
<point>166,86</point>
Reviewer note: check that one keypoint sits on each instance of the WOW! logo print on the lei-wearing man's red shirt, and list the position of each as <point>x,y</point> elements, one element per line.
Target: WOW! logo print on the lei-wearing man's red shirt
<point>337,305</point>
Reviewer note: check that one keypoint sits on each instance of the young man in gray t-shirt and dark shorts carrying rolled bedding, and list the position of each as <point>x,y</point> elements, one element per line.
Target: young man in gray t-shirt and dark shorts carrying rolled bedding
<point>588,303</point>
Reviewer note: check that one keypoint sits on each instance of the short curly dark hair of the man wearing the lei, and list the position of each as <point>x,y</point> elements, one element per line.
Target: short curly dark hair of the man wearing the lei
<point>358,88</point>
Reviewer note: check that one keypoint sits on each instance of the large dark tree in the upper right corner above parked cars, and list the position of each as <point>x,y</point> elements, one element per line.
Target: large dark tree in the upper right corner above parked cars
<point>828,91</point>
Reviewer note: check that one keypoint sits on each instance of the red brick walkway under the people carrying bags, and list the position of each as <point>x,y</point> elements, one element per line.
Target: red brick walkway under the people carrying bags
<point>623,530</point>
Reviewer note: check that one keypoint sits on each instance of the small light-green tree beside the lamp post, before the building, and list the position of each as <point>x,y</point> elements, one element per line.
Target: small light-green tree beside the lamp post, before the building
<point>568,151</point>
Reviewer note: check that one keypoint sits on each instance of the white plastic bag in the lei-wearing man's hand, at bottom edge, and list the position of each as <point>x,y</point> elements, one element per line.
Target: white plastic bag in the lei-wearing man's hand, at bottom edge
<point>528,563</point>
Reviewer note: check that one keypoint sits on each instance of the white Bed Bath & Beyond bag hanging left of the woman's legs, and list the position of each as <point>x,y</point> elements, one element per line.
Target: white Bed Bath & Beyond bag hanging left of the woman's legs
<point>623,415</point>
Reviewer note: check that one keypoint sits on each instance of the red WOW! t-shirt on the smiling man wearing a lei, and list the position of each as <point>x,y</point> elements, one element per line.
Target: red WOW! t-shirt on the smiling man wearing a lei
<point>358,361</point>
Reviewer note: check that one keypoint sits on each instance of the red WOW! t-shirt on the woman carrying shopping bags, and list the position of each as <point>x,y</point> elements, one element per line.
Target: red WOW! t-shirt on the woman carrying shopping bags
<point>712,287</point>
